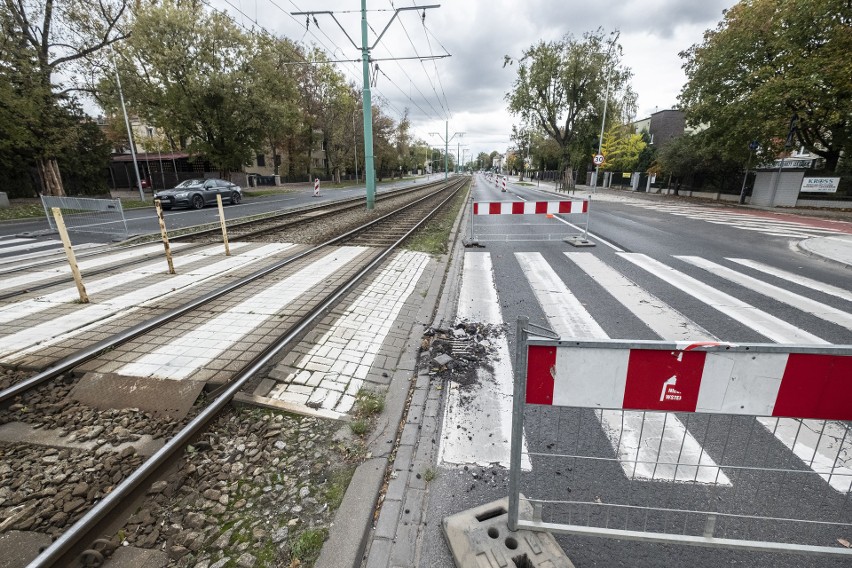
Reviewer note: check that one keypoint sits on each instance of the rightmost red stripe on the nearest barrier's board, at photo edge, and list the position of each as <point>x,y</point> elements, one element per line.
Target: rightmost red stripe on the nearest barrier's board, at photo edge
<point>816,386</point>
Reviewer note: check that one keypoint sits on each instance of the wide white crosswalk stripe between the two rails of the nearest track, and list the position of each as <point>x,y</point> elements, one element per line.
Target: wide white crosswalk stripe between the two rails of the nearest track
<point>192,350</point>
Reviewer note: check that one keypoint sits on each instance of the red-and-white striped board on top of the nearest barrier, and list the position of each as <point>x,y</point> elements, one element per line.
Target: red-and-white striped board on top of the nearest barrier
<point>705,378</point>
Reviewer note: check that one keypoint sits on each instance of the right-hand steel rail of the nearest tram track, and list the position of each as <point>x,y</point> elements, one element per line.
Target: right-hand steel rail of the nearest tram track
<point>63,551</point>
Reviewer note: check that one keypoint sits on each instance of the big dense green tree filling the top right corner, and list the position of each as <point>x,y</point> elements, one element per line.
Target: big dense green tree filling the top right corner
<point>766,61</point>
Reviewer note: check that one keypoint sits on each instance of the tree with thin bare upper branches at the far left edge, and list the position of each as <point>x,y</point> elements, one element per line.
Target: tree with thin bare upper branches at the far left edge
<point>52,38</point>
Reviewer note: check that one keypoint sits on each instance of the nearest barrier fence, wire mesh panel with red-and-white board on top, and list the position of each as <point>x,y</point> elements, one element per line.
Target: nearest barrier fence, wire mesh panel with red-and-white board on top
<point>733,446</point>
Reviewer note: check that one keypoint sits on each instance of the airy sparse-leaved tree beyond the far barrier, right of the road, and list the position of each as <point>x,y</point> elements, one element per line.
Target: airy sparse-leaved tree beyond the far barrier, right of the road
<point>561,86</point>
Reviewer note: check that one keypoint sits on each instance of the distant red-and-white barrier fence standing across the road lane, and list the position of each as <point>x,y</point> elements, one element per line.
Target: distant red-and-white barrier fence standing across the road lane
<point>490,232</point>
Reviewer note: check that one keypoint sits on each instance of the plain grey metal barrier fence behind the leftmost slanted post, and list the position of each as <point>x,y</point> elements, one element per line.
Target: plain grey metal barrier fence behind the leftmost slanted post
<point>87,215</point>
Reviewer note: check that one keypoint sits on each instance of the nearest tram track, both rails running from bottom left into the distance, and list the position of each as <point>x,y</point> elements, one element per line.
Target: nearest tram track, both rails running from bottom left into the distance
<point>369,246</point>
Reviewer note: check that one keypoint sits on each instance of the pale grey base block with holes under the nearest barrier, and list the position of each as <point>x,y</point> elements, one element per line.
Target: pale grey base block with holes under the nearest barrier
<point>481,537</point>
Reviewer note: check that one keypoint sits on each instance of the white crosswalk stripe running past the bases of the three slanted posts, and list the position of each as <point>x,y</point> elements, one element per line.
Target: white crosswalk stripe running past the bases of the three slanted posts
<point>69,294</point>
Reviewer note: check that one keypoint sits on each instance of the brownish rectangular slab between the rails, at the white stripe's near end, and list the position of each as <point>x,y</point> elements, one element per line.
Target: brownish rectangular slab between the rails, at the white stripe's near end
<point>161,397</point>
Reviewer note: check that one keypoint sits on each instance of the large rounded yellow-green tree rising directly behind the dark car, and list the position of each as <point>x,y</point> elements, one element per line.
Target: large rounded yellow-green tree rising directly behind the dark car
<point>192,73</point>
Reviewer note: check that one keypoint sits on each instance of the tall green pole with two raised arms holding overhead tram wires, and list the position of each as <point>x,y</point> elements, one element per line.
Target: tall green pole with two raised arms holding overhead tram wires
<point>365,48</point>
